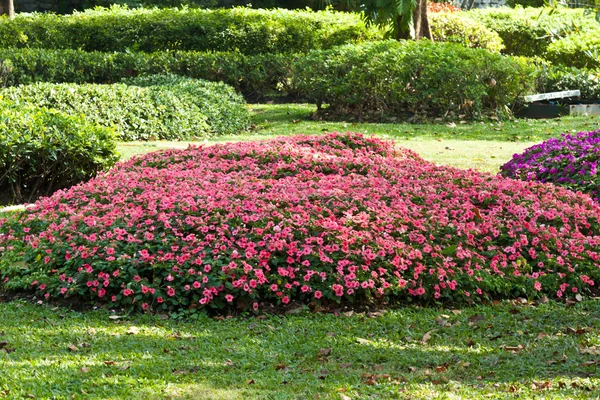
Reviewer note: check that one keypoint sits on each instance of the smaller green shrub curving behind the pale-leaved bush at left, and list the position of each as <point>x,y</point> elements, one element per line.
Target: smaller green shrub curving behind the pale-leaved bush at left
<point>225,110</point>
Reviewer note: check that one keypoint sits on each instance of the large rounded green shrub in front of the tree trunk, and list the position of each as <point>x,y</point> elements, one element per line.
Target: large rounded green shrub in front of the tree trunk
<point>416,78</point>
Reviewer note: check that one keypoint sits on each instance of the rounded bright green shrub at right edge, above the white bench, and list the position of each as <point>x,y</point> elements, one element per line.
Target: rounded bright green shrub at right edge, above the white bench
<point>581,50</point>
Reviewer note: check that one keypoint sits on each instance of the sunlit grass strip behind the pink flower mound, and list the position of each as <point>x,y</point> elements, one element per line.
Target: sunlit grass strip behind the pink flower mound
<point>484,146</point>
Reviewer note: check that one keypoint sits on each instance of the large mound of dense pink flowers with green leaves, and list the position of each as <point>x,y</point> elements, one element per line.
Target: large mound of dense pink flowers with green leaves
<point>327,218</point>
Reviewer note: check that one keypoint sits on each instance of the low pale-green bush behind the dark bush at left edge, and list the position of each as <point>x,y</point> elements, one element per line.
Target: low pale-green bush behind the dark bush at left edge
<point>137,113</point>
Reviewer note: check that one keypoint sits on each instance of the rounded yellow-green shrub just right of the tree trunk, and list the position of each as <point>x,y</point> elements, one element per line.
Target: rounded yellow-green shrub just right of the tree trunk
<point>457,28</point>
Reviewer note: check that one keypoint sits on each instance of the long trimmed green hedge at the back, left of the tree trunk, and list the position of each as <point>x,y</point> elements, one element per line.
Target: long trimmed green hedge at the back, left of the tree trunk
<point>240,29</point>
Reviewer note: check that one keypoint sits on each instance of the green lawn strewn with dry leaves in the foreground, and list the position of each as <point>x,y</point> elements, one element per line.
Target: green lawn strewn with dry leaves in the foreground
<point>303,356</point>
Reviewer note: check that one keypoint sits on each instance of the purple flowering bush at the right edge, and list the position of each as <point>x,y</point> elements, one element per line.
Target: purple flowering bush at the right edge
<point>571,161</point>
